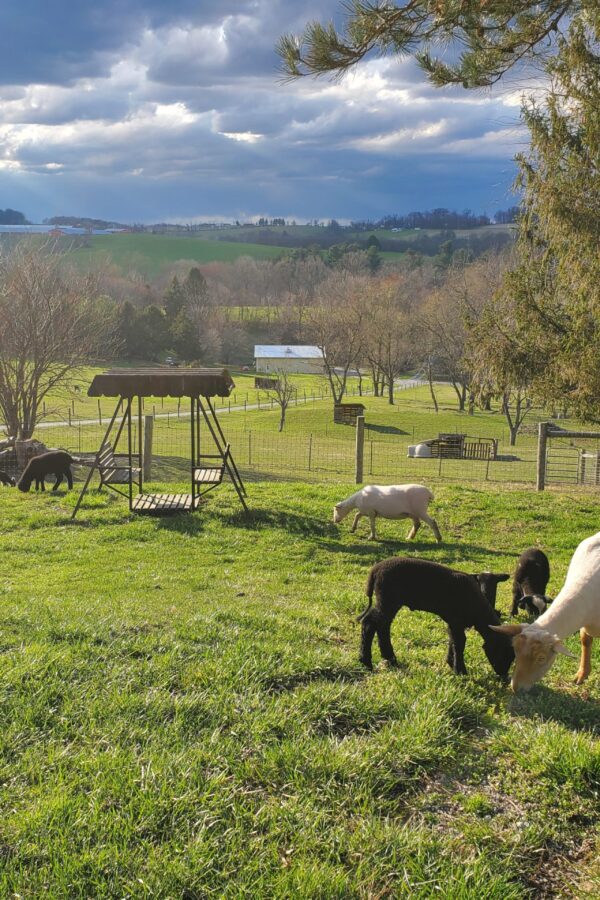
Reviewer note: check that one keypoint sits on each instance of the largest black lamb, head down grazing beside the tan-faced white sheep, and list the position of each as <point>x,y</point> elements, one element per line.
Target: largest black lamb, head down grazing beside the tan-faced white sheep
<point>453,596</point>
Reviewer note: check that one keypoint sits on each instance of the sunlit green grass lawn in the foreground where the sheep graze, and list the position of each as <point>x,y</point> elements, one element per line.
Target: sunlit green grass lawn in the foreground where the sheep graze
<point>183,714</point>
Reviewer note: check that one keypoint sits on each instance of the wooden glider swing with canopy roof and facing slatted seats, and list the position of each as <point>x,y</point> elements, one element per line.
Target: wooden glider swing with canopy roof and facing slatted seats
<point>122,472</point>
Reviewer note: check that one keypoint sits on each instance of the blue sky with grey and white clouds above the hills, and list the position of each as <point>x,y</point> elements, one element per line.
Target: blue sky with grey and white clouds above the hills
<point>148,111</point>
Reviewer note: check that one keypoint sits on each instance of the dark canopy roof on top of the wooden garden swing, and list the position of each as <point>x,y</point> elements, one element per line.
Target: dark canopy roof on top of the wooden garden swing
<point>160,382</point>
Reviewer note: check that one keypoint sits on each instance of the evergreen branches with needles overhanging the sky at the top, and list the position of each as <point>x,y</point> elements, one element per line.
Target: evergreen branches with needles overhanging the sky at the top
<point>485,38</point>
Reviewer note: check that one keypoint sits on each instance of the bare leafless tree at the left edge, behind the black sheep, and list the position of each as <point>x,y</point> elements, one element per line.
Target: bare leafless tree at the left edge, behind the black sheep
<point>49,327</point>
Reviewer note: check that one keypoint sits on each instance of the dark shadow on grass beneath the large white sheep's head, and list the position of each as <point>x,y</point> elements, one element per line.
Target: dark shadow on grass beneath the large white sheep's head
<point>577,713</point>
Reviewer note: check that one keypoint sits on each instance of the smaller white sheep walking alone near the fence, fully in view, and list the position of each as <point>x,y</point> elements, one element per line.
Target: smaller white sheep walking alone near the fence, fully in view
<point>395,501</point>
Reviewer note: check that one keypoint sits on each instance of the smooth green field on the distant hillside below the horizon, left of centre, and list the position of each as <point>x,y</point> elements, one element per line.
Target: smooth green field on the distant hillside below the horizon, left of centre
<point>149,253</point>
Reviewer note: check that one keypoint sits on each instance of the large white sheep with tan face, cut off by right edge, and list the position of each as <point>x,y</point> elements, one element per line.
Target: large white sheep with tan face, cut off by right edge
<point>577,607</point>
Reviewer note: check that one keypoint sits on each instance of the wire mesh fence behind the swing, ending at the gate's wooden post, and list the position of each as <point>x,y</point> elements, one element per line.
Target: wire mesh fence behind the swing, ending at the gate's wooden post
<point>262,454</point>
